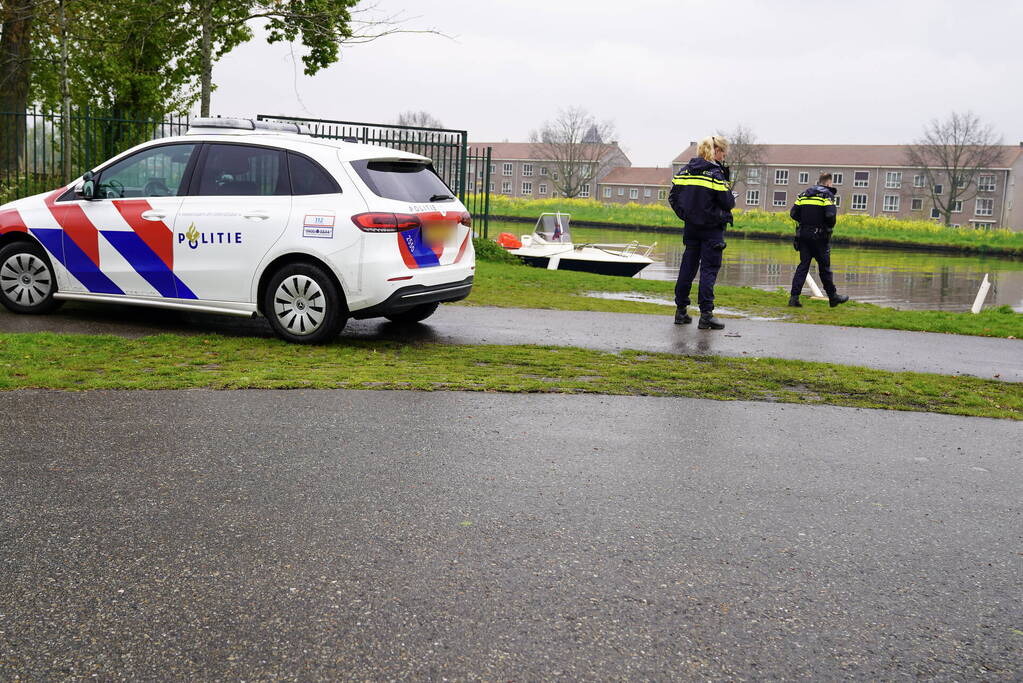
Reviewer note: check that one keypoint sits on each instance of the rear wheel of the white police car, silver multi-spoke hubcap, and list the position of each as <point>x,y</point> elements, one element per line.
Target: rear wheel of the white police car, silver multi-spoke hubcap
<point>303,305</point>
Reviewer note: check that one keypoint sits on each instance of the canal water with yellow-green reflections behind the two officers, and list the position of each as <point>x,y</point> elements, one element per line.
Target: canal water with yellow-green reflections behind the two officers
<point>904,280</point>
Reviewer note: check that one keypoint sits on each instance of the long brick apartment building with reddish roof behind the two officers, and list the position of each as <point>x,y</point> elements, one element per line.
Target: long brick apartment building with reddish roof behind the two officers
<point>876,180</point>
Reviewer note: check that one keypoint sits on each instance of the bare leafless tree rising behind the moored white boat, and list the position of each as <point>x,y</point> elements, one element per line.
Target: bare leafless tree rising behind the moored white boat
<point>576,149</point>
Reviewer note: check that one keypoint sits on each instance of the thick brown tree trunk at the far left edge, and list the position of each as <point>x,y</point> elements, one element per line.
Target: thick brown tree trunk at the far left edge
<point>15,73</point>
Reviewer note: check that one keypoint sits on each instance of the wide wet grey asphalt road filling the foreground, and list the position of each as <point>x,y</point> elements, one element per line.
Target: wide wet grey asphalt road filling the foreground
<point>375,535</point>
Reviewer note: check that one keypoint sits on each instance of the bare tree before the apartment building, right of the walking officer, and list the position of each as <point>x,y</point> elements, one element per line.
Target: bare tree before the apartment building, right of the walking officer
<point>952,154</point>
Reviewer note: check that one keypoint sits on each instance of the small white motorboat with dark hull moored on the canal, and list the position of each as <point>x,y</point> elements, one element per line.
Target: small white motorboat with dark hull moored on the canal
<point>551,247</point>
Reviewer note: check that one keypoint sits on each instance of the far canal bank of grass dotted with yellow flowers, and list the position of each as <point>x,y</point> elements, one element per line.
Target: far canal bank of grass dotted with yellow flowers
<point>851,230</point>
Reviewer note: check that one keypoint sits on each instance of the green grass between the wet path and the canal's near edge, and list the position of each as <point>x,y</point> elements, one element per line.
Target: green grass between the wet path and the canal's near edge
<point>521,287</point>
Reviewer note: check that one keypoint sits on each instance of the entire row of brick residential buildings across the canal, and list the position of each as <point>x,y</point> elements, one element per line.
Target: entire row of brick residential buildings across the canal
<point>872,180</point>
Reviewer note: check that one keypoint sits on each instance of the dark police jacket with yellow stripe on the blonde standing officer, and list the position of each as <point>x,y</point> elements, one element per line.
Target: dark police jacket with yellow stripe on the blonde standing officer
<point>701,196</point>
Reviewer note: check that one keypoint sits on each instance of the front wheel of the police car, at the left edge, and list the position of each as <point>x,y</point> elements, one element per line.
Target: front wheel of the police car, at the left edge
<point>27,281</point>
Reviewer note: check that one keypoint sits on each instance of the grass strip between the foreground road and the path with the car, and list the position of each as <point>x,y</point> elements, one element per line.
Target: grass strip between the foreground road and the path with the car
<point>79,362</point>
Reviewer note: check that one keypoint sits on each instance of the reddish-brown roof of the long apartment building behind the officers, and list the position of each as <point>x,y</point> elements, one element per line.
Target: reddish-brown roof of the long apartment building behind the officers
<point>844,155</point>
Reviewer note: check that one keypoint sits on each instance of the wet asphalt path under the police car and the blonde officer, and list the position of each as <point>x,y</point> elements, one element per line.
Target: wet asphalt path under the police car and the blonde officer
<point>886,350</point>
